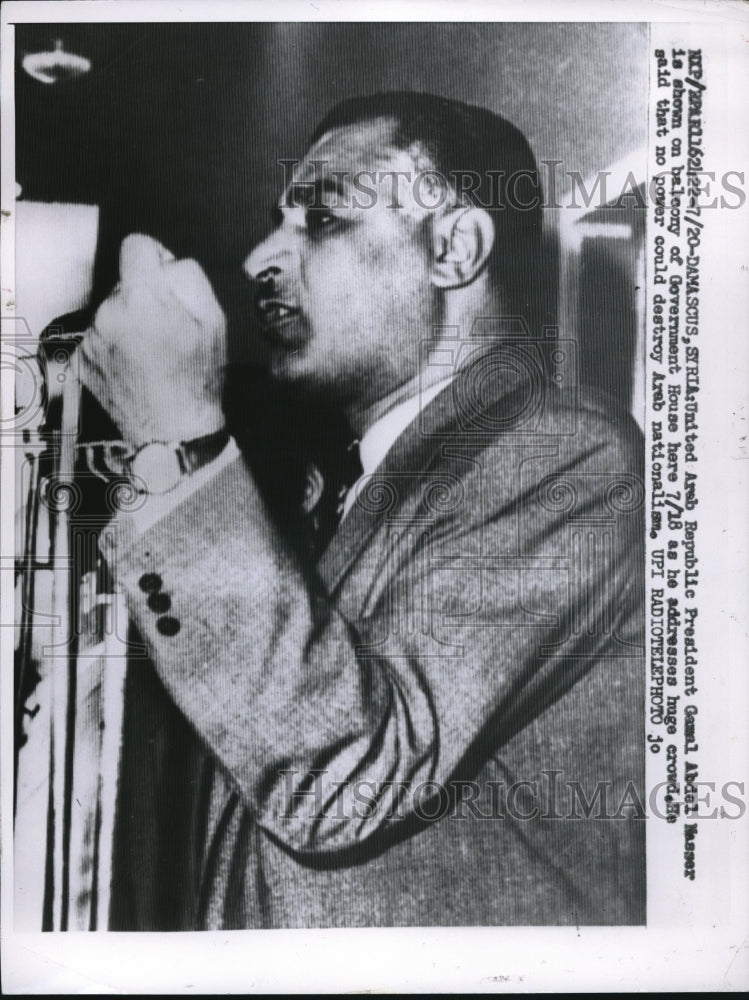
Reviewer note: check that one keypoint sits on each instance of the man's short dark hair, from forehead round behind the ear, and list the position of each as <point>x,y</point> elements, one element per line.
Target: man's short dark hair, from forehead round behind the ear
<point>462,139</point>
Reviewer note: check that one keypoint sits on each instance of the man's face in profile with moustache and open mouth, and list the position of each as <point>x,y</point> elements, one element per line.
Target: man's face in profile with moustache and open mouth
<point>345,294</point>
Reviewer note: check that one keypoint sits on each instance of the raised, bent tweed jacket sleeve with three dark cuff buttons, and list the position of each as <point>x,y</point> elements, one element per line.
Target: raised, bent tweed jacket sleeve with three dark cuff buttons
<point>462,635</point>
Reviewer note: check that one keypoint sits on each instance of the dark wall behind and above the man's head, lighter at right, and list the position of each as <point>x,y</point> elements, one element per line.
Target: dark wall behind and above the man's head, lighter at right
<point>178,128</point>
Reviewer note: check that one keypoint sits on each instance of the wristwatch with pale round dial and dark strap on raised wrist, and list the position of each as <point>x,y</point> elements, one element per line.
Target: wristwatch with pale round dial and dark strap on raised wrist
<point>158,466</point>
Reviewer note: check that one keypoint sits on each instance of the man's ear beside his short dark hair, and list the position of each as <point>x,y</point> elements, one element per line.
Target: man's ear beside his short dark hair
<point>463,240</point>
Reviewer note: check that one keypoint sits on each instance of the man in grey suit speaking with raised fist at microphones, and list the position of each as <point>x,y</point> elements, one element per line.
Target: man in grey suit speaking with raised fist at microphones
<point>439,718</point>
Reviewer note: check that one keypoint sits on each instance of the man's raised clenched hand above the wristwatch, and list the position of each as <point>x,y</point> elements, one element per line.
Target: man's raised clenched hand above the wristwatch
<point>156,355</point>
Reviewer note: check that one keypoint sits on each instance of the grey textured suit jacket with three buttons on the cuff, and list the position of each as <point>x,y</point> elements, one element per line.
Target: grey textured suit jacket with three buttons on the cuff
<point>442,722</point>
